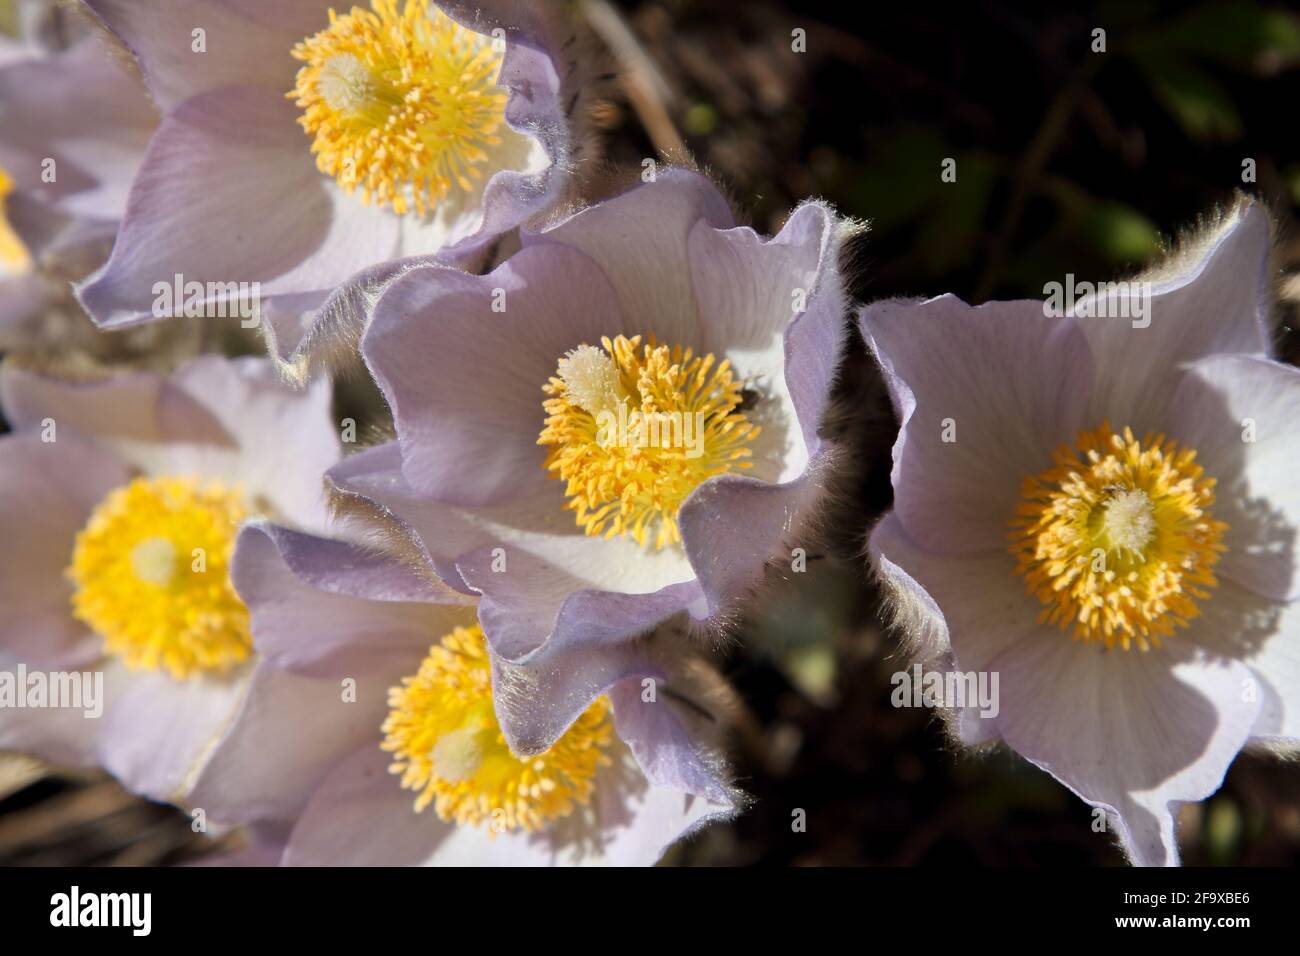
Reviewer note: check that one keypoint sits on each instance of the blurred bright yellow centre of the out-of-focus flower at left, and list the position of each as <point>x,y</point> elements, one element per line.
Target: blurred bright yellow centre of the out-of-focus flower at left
<point>151,578</point>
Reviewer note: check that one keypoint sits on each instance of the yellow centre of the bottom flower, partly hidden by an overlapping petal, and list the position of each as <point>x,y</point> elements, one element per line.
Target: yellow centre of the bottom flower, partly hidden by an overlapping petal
<point>447,745</point>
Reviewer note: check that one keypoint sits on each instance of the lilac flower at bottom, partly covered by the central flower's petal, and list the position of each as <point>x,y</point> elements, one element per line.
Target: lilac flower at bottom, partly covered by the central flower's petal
<point>370,724</point>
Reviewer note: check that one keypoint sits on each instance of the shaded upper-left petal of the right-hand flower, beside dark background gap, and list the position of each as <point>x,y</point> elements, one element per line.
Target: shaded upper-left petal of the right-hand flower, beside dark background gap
<point>985,393</point>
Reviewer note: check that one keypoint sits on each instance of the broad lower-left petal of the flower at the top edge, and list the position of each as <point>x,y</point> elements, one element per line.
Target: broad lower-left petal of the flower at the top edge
<point>232,163</point>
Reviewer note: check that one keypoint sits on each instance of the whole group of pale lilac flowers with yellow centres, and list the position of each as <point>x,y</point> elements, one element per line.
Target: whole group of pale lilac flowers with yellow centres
<point>487,639</point>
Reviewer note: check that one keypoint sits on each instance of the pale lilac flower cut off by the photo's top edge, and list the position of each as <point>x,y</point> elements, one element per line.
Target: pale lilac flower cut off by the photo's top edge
<point>301,148</point>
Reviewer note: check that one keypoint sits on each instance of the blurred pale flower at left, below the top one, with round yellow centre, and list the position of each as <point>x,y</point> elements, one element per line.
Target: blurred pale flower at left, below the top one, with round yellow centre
<point>120,503</point>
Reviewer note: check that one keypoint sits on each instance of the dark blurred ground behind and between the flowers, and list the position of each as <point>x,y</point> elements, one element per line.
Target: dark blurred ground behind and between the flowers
<point>1068,161</point>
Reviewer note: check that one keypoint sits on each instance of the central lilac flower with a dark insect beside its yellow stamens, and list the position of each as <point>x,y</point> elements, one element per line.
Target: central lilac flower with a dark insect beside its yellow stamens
<point>616,426</point>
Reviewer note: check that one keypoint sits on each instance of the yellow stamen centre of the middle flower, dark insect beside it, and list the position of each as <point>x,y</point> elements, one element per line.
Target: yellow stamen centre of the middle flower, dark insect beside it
<point>636,429</point>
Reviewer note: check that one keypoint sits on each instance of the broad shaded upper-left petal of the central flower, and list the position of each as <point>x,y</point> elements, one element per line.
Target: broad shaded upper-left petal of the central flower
<point>462,361</point>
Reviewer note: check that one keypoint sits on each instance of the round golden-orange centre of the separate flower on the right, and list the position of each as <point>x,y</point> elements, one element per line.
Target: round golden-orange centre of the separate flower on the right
<point>1117,538</point>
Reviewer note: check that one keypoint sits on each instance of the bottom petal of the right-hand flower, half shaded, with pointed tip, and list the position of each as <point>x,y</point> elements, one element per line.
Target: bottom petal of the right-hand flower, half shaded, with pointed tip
<point>1133,733</point>
